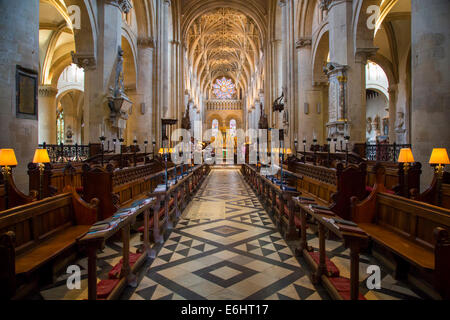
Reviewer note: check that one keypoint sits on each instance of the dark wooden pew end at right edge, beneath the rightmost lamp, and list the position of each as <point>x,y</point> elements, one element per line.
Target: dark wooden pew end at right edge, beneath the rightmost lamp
<point>438,193</point>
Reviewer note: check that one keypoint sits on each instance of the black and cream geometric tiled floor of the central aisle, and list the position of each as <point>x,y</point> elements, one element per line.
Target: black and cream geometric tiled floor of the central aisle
<point>226,247</point>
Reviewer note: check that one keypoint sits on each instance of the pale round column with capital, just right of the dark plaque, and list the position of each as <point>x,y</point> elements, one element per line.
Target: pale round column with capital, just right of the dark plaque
<point>47,114</point>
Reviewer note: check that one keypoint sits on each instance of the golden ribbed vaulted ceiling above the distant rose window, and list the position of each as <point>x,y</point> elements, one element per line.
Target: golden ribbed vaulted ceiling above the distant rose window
<point>223,42</point>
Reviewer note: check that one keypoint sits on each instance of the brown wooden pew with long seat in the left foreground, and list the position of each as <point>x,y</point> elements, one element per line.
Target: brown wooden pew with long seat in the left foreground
<point>34,237</point>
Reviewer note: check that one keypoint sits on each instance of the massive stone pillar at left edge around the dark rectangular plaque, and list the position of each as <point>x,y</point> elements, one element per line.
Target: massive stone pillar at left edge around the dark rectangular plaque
<point>19,22</point>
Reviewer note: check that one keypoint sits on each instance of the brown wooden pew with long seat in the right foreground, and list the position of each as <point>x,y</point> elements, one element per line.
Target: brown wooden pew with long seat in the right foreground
<point>414,233</point>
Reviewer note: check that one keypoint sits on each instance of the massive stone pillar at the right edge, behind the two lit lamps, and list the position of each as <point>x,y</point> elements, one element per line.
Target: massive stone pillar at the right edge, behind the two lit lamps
<point>430,52</point>
